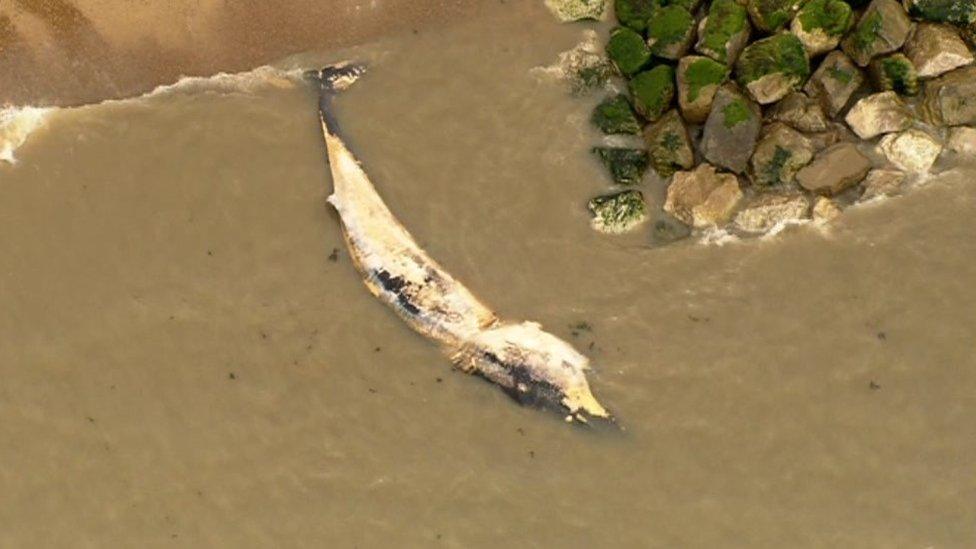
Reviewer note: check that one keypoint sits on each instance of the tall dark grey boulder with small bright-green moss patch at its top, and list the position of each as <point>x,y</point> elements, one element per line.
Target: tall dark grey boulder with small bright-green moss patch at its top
<point>731,130</point>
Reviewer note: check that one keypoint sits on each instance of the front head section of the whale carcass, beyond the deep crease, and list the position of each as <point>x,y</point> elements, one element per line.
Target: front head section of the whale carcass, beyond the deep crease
<point>534,367</point>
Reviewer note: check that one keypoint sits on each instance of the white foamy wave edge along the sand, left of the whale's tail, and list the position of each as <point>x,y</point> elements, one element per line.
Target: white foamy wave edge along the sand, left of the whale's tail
<point>17,123</point>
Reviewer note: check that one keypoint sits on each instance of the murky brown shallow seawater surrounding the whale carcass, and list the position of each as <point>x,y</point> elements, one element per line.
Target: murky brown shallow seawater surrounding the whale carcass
<point>182,364</point>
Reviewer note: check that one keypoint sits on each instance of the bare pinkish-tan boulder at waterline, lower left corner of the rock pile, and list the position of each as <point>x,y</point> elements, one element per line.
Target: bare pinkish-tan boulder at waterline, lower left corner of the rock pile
<point>703,197</point>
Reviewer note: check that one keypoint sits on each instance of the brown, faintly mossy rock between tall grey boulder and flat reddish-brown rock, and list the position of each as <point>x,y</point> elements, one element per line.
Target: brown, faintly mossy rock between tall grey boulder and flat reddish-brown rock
<point>781,152</point>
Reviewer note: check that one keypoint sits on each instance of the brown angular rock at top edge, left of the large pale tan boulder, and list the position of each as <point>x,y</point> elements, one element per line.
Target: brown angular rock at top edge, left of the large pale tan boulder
<point>882,28</point>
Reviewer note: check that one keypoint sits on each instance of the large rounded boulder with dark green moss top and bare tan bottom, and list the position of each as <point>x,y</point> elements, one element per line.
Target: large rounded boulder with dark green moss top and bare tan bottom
<point>773,67</point>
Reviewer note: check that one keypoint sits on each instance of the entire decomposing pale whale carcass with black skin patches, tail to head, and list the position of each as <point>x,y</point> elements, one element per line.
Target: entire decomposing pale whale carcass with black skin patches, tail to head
<point>533,366</point>
